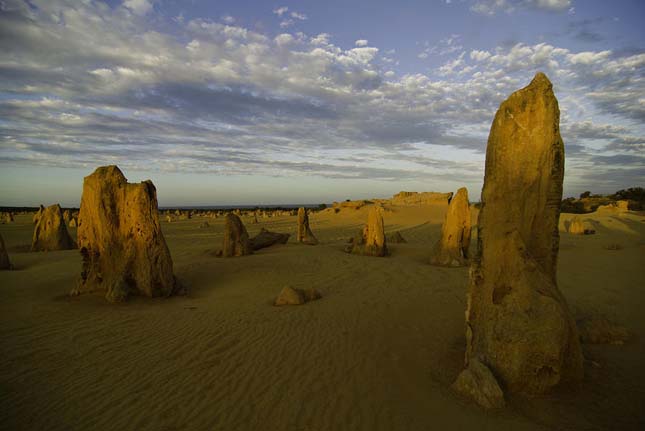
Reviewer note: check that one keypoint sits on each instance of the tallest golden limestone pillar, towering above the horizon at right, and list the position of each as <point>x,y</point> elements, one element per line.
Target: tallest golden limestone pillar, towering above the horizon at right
<point>517,321</point>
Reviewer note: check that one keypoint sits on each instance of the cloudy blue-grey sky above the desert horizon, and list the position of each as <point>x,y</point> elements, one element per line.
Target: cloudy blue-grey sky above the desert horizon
<point>286,102</point>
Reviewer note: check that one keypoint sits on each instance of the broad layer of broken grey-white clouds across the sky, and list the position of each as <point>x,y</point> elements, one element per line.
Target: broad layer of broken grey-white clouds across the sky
<point>227,99</point>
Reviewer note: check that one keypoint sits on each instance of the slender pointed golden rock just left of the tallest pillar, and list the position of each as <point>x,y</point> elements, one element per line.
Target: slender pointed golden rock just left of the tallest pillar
<point>452,247</point>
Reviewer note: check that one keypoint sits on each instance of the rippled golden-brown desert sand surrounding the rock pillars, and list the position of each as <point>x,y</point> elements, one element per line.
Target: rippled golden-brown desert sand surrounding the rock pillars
<point>377,352</point>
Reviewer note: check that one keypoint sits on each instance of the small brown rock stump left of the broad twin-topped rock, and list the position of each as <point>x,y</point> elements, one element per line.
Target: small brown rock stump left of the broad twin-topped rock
<point>50,232</point>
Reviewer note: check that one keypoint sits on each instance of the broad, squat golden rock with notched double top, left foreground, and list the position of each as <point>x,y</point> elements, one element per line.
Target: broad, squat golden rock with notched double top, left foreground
<point>124,251</point>
